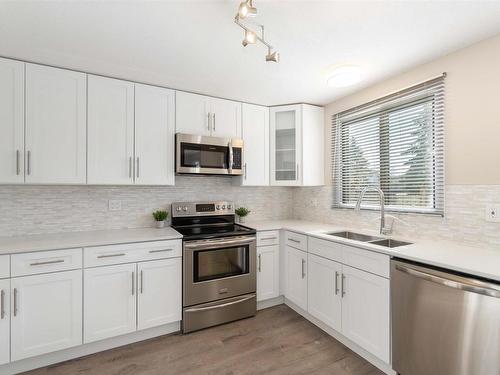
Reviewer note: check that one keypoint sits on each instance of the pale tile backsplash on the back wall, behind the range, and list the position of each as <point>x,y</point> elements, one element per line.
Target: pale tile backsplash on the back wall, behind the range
<point>28,209</point>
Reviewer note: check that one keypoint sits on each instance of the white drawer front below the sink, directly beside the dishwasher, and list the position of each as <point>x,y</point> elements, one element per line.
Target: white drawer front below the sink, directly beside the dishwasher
<point>367,260</point>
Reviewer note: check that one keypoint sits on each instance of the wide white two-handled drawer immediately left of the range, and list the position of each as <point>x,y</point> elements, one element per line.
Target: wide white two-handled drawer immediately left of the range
<point>131,252</point>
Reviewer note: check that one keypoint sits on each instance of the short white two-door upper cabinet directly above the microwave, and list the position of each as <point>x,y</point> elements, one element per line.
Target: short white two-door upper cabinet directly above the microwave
<point>204,115</point>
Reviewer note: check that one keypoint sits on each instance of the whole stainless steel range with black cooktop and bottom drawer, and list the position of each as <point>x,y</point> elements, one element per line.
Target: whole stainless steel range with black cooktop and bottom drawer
<point>219,264</point>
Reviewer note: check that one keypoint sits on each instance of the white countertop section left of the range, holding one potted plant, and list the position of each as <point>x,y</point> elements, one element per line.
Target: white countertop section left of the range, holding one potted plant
<point>41,242</point>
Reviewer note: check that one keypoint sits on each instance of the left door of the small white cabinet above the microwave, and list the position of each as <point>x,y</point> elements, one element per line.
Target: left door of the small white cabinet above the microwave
<point>192,114</point>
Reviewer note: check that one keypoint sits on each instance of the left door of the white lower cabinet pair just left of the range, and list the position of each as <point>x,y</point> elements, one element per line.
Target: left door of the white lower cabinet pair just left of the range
<point>110,307</point>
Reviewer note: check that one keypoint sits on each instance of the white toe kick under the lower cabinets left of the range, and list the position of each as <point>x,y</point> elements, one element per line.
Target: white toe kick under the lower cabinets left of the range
<point>86,349</point>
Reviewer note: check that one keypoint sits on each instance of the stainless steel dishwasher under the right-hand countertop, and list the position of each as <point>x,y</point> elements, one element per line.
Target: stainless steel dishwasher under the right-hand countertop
<point>443,323</point>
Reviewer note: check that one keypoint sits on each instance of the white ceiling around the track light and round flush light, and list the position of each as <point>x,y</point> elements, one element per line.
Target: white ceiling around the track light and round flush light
<point>195,45</point>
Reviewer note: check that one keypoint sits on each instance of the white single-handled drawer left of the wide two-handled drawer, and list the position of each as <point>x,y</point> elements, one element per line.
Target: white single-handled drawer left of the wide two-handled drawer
<point>45,261</point>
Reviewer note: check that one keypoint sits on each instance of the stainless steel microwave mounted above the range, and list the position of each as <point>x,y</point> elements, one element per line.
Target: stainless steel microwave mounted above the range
<point>197,154</point>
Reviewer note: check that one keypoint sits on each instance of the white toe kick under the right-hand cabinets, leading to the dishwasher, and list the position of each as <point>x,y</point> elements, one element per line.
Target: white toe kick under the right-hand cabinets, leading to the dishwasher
<point>385,367</point>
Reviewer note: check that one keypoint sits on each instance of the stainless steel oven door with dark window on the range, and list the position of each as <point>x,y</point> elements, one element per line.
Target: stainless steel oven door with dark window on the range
<point>218,268</point>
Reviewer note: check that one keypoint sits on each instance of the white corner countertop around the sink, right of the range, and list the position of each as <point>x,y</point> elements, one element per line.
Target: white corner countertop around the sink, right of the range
<point>477,261</point>
